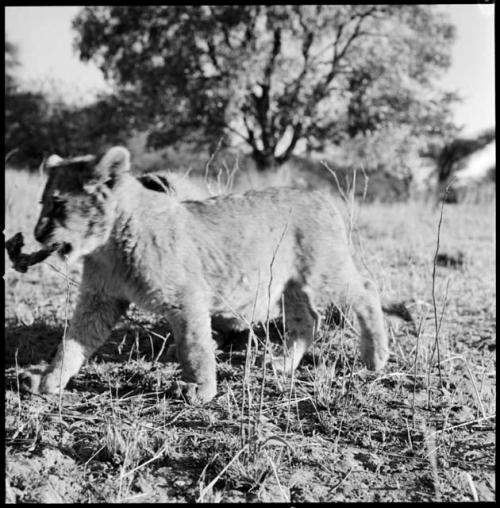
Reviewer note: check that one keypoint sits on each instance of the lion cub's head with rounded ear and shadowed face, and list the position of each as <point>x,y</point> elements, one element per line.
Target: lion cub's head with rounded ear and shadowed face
<point>78,202</point>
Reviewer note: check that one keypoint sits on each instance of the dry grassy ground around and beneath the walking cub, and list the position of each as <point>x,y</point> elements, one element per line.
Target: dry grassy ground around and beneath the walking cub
<point>332,432</point>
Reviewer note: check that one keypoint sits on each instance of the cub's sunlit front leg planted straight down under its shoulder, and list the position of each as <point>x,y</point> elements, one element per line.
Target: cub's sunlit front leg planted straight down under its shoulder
<point>194,348</point>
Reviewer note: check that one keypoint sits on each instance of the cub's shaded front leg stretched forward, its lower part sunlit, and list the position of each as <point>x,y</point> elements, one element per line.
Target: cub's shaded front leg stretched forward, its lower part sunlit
<point>94,317</point>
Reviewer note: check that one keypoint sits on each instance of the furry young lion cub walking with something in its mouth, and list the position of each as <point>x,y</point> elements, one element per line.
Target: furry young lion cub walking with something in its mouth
<point>228,258</point>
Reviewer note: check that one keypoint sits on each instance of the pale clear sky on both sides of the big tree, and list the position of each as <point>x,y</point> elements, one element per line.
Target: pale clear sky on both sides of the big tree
<point>44,39</point>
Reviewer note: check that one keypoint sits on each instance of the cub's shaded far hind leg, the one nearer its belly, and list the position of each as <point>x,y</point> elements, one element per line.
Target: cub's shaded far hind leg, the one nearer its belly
<point>301,320</point>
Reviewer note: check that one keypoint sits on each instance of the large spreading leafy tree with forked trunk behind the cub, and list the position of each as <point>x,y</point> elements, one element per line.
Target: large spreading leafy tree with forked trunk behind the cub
<point>273,76</point>
